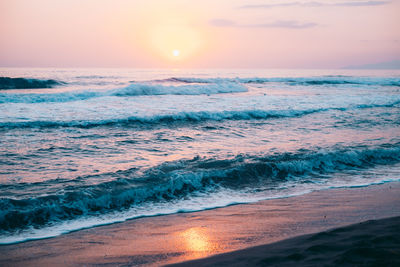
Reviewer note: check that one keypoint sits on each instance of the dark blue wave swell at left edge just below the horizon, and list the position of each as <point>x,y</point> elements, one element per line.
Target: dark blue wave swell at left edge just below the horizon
<point>26,83</point>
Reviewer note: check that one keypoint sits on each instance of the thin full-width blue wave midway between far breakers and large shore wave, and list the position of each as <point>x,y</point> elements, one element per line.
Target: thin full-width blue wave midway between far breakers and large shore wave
<point>178,117</point>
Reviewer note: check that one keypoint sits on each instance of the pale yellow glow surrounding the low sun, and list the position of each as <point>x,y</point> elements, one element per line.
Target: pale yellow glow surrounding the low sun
<point>173,34</point>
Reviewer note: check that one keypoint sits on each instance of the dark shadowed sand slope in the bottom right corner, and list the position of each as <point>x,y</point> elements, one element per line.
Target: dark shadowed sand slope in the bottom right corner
<point>371,243</point>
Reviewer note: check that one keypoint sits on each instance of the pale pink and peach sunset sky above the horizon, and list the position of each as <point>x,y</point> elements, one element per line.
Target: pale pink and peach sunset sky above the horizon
<point>198,34</point>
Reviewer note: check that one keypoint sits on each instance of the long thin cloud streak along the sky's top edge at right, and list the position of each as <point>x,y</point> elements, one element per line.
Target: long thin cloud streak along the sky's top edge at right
<point>319,4</point>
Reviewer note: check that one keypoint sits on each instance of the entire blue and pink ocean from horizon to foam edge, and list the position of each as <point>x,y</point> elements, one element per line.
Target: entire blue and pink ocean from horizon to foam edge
<point>86,147</point>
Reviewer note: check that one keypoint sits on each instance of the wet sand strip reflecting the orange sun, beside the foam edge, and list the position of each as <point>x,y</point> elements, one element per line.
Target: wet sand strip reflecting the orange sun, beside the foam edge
<point>187,236</point>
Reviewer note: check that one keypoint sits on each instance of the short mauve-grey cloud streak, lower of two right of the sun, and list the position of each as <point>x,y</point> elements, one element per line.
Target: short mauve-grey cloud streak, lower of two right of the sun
<point>289,24</point>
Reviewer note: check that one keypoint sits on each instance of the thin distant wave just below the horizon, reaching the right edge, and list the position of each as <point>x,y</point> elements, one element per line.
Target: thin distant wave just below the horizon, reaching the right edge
<point>316,81</point>
